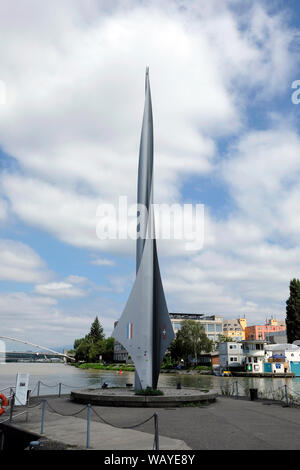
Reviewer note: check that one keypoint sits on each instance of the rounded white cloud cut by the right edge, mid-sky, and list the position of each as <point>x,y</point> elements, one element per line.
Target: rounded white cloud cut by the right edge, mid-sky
<point>263,173</point>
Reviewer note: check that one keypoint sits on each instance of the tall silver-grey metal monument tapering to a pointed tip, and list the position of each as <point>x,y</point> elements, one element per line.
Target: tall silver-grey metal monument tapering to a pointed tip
<point>145,329</point>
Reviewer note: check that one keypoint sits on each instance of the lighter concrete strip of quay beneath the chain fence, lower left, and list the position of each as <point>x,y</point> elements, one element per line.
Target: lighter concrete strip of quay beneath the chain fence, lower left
<point>72,431</point>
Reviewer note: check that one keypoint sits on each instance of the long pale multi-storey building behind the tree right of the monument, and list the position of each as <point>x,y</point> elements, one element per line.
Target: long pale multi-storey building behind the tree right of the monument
<point>213,324</point>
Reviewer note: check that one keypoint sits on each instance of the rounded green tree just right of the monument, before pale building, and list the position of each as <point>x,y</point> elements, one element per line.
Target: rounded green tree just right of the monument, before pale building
<point>191,340</point>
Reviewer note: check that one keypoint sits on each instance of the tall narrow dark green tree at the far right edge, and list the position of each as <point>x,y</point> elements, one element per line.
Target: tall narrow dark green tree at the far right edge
<point>293,312</point>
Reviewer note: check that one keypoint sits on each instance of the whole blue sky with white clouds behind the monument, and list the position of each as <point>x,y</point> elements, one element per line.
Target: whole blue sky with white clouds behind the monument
<point>226,135</point>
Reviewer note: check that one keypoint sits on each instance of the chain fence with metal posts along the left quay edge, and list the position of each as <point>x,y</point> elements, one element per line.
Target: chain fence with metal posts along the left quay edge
<point>44,404</point>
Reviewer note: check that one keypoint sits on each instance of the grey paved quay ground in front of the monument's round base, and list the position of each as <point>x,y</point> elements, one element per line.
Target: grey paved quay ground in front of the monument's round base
<point>227,424</point>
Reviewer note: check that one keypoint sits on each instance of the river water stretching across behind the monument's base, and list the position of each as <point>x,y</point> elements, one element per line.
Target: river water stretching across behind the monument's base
<point>70,377</point>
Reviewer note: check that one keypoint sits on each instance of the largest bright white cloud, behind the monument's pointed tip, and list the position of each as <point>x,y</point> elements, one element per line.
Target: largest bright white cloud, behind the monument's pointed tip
<point>73,122</point>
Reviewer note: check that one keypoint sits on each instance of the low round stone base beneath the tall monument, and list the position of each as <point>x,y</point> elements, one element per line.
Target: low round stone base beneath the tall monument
<point>126,397</point>
